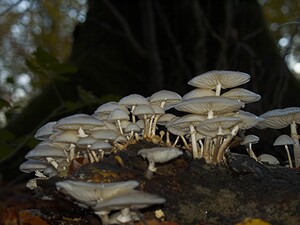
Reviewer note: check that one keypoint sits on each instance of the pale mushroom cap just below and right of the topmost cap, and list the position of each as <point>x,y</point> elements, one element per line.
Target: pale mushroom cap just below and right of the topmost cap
<point>242,94</point>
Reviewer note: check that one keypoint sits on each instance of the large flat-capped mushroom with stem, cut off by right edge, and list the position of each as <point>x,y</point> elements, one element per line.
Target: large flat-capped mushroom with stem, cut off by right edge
<point>280,118</point>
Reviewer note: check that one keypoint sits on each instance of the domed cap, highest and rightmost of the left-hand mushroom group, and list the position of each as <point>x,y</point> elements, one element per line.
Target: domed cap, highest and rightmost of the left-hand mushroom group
<point>168,97</point>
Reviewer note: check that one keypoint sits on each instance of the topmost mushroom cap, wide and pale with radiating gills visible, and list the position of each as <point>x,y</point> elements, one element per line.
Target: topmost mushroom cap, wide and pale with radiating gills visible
<point>227,79</point>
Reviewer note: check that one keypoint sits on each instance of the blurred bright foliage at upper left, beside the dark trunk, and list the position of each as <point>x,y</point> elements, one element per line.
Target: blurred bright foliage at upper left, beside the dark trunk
<point>26,24</point>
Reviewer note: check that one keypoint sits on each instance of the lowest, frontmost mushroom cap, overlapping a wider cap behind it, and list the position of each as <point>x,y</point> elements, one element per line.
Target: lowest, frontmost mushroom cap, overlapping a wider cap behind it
<point>133,199</point>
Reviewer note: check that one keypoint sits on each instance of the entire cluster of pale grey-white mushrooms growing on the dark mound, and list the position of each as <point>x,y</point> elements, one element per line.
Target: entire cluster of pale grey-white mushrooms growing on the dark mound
<point>212,119</point>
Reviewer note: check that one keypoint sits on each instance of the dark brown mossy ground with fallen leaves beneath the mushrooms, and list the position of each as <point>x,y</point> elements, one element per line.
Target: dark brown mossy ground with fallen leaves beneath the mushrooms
<point>195,192</point>
